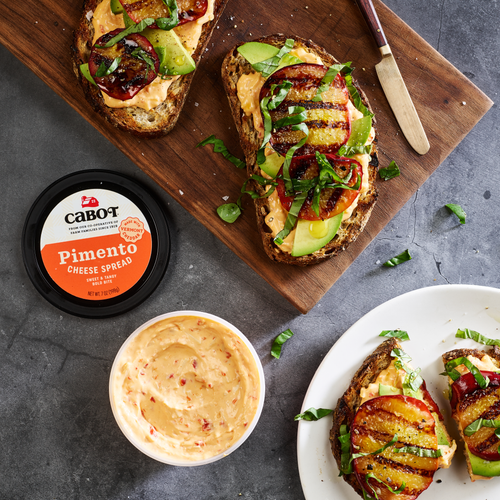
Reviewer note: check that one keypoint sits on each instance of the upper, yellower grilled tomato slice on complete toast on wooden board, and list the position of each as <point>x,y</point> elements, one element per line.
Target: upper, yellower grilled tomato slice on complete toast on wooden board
<point>328,120</point>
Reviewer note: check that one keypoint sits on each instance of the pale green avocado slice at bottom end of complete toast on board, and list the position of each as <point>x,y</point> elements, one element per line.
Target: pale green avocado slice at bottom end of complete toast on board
<point>306,242</point>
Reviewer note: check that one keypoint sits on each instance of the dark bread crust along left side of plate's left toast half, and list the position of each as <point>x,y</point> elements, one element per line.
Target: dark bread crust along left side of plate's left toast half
<point>347,405</point>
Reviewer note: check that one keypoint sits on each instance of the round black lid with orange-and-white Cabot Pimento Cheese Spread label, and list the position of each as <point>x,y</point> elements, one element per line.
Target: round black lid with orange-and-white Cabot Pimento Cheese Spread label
<point>96,243</point>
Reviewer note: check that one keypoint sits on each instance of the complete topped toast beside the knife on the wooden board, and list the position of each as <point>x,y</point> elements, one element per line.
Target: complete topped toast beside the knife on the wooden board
<point>307,132</point>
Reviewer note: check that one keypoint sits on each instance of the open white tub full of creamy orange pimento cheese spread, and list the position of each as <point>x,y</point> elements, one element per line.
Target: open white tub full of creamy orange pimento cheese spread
<point>187,388</point>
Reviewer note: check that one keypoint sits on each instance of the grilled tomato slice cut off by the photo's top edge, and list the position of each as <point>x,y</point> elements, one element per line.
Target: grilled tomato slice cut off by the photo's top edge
<point>189,10</point>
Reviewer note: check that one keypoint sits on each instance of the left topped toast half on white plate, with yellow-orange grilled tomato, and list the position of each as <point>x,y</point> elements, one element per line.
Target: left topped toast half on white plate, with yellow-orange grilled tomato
<point>388,436</point>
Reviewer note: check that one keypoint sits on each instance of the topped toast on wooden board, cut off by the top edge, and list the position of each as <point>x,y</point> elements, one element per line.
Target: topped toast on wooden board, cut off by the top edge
<point>136,59</point>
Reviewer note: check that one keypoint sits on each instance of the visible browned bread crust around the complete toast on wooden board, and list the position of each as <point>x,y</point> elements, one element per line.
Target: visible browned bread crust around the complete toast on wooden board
<point>234,66</point>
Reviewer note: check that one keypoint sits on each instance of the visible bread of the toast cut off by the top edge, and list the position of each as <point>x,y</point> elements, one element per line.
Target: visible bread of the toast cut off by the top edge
<point>158,121</point>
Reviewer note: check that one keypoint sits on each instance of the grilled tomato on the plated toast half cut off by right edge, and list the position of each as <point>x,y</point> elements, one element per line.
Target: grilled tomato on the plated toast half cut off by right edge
<point>473,403</point>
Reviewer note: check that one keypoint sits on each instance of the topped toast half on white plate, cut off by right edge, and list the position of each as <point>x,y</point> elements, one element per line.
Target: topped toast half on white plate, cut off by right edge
<point>474,378</point>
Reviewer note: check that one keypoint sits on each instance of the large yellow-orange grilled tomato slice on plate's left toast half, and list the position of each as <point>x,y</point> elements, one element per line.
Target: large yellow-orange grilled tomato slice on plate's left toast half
<point>374,425</point>
